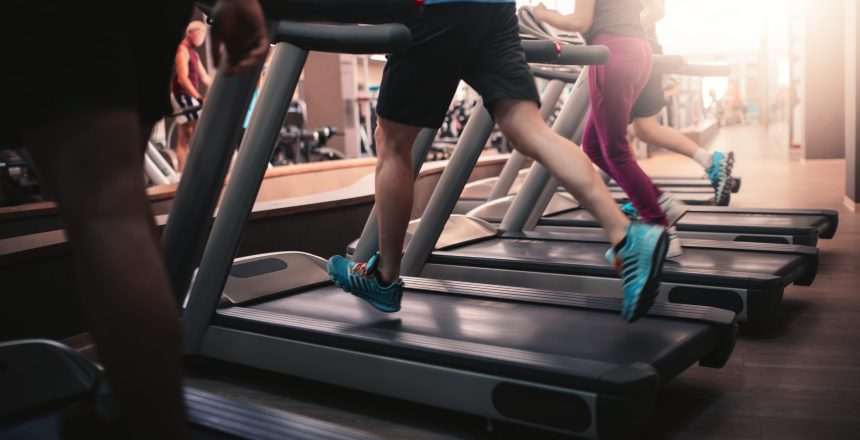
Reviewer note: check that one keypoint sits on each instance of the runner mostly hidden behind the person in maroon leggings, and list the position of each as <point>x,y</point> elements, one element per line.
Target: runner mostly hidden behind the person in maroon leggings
<point>717,165</point>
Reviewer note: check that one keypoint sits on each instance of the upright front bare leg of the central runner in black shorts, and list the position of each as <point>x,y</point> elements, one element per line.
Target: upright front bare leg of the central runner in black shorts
<point>393,192</point>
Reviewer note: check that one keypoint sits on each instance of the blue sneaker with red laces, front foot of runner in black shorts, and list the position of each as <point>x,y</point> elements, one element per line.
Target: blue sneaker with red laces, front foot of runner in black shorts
<point>360,279</point>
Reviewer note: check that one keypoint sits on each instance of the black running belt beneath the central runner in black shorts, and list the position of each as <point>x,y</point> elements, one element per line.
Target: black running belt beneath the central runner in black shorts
<point>565,345</point>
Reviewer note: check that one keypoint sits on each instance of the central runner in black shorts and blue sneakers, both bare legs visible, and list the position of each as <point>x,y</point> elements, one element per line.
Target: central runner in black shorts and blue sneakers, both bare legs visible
<point>478,41</point>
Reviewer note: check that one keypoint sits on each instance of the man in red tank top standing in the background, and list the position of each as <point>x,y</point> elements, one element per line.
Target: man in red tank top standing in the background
<point>185,94</point>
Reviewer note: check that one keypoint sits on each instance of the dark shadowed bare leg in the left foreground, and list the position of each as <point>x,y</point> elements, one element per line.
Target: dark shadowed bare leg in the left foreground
<point>93,162</point>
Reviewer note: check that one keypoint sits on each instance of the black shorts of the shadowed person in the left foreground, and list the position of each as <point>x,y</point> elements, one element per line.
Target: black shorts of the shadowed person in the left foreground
<point>71,56</point>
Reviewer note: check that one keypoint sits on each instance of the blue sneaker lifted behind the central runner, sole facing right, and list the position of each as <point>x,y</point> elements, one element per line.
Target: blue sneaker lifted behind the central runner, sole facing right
<point>639,258</point>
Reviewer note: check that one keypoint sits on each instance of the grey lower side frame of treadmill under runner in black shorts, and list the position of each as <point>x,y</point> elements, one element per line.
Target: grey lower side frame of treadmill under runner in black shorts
<point>455,389</point>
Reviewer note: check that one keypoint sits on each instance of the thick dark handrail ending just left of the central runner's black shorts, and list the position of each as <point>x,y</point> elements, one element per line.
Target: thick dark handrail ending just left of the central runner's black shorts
<point>382,38</point>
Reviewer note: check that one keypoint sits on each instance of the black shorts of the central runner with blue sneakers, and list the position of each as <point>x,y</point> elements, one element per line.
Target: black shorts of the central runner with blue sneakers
<point>476,42</point>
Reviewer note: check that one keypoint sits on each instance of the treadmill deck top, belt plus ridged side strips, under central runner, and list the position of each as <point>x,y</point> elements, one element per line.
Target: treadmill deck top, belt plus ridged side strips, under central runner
<point>422,331</point>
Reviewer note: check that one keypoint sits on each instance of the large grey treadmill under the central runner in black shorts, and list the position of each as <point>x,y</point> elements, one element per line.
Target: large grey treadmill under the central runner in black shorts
<point>559,361</point>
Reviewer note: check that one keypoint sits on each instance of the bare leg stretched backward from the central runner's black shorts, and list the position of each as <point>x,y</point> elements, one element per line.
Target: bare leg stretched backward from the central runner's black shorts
<point>522,124</point>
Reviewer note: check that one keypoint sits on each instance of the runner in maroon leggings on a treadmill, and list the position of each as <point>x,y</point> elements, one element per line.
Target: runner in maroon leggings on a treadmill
<point>612,89</point>
